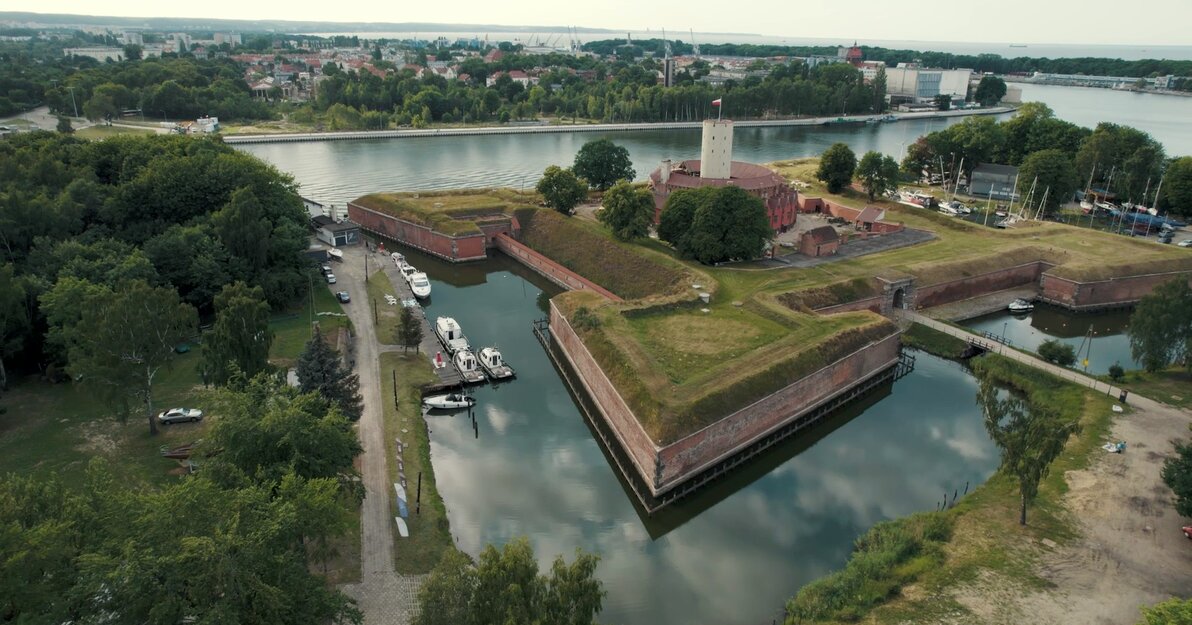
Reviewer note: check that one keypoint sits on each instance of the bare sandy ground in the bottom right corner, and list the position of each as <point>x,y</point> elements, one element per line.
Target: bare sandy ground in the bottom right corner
<point>1132,553</point>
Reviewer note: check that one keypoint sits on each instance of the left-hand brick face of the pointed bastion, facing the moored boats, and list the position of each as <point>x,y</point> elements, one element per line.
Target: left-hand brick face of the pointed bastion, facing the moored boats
<point>620,419</point>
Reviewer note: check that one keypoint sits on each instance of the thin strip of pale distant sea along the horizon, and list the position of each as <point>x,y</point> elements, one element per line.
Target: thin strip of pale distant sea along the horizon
<point>1051,51</point>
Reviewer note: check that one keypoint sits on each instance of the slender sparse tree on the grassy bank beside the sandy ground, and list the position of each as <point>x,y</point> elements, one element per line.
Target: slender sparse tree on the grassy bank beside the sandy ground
<point>1029,437</point>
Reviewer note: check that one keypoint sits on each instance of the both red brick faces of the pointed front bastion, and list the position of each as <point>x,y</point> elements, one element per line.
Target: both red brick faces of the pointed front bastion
<point>663,469</point>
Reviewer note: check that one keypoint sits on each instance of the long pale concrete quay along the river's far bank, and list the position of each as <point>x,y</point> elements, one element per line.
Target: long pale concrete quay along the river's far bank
<point>582,128</point>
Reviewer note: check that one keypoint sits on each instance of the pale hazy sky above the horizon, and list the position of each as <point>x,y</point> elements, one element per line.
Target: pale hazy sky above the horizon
<point>1117,22</point>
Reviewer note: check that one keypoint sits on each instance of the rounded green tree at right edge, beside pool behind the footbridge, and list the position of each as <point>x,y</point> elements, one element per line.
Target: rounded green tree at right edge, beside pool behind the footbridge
<point>1162,326</point>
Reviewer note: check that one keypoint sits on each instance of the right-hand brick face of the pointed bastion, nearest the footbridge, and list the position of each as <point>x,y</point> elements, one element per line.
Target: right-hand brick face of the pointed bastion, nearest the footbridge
<point>690,456</point>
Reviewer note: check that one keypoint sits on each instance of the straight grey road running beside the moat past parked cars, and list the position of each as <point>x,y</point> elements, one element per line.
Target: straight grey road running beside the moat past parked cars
<point>386,597</point>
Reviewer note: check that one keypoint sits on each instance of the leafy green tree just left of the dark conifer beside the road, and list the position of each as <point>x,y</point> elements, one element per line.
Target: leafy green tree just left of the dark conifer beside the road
<point>240,337</point>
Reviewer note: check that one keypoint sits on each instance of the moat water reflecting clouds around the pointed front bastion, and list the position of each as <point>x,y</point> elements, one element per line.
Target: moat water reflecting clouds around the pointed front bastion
<point>732,554</point>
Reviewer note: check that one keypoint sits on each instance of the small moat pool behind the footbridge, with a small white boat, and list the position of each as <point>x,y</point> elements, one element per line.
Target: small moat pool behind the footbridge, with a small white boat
<point>1109,342</point>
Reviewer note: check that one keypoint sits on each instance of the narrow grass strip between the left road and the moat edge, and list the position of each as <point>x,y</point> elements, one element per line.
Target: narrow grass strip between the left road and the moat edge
<point>430,530</point>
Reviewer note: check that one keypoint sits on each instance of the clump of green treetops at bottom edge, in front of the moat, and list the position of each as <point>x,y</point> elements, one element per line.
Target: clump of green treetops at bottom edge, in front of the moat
<point>505,586</point>
